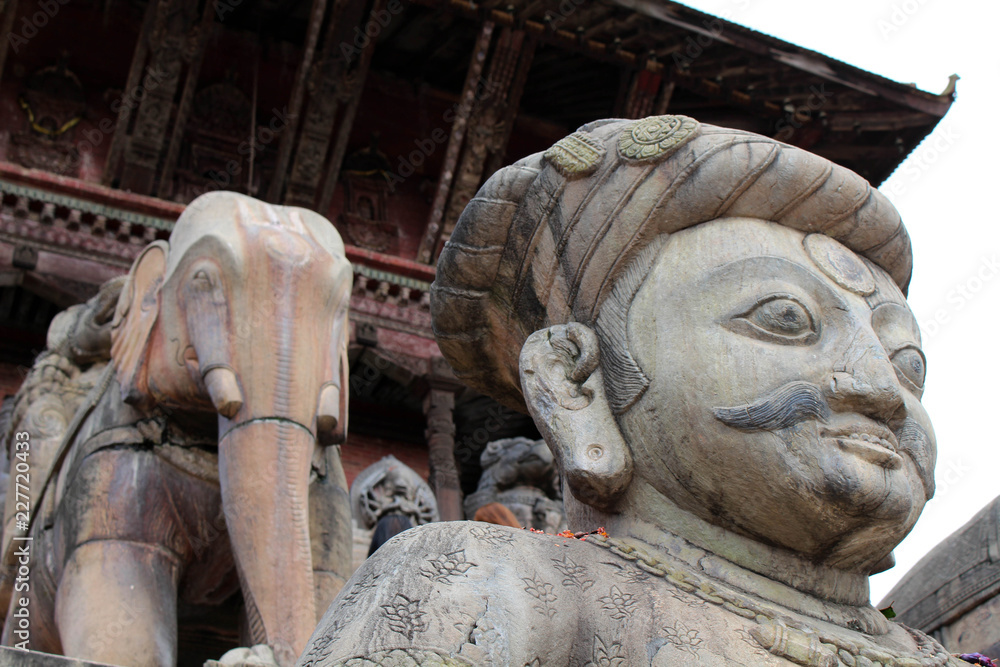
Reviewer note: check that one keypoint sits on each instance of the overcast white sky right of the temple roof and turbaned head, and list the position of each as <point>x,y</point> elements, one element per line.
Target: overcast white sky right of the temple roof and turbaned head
<point>942,192</point>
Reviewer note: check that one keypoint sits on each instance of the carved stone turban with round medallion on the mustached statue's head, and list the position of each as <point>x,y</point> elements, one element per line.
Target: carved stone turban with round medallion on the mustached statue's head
<point>545,239</point>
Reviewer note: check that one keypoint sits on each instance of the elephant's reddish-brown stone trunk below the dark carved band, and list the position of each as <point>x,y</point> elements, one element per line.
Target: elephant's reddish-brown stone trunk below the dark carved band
<point>264,470</point>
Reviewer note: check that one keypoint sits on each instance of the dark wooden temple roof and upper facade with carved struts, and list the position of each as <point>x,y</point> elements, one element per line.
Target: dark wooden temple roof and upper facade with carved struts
<point>555,64</point>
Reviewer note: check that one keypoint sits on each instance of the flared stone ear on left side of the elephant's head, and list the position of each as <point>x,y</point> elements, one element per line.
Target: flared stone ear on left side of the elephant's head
<point>138,308</point>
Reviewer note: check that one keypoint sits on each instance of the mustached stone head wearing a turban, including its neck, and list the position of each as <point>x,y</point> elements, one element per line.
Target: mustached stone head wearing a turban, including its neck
<point>702,319</point>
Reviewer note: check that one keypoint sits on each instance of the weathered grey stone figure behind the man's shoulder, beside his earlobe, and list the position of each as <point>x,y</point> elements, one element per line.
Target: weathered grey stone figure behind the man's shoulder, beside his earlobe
<point>521,474</point>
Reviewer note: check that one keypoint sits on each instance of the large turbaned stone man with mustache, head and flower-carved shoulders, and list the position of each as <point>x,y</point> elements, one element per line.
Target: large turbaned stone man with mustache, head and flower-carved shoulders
<point>709,329</point>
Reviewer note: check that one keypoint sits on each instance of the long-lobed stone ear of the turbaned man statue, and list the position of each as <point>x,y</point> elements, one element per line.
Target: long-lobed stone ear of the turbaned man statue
<point>564,391</point>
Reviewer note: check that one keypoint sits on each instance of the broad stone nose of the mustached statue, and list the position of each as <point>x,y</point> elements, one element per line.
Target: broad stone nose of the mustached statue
<point>865,381</point>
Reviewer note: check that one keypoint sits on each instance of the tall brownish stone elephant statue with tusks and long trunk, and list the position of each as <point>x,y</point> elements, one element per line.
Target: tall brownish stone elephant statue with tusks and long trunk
<point>204,459</point>
